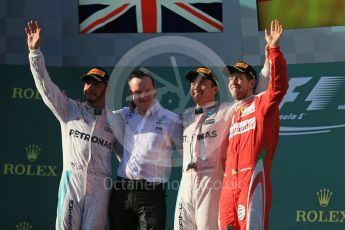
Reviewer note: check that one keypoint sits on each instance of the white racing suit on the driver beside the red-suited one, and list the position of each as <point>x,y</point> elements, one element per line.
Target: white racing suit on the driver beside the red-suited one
<point>205,142</point>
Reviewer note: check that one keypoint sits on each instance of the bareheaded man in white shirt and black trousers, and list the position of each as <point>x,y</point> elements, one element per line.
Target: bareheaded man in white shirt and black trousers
<point>151,132</point>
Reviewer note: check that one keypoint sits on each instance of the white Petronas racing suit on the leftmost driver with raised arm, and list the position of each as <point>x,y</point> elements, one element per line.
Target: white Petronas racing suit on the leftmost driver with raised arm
<point>87,143</point>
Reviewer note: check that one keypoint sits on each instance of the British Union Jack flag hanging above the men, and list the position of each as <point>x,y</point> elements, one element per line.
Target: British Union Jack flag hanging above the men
<point>150,16</point>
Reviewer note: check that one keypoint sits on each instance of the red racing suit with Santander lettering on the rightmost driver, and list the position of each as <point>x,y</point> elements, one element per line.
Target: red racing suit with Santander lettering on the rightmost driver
<point>246,192</point>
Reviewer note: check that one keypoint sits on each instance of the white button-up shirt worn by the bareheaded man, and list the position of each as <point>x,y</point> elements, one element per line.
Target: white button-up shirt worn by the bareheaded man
<point>148,143</point>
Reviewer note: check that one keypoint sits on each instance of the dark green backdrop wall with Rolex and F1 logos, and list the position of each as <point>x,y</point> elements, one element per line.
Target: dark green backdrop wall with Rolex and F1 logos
<point>307,175</point>
